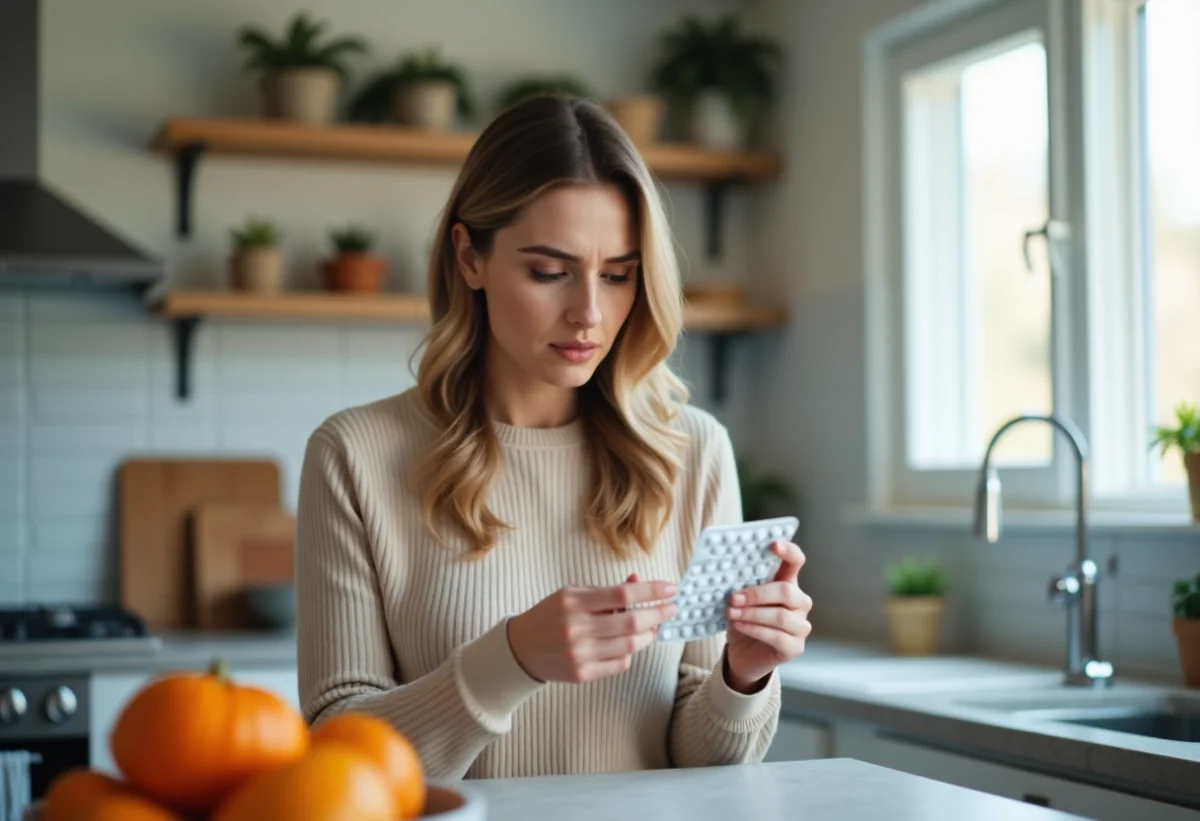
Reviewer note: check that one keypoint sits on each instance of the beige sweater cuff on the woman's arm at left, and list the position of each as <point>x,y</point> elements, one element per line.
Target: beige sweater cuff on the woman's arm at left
<point>494,681</point>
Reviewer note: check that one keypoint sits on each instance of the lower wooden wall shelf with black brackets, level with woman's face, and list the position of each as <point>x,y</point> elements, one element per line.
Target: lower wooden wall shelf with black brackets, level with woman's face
<point>188,309</point>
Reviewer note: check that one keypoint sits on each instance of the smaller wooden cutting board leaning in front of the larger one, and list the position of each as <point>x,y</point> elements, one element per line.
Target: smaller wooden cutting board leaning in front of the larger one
<point>235,546</point>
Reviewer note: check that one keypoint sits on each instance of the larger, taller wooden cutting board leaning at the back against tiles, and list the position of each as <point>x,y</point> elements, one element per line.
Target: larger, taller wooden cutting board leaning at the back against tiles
<point>157,499</point>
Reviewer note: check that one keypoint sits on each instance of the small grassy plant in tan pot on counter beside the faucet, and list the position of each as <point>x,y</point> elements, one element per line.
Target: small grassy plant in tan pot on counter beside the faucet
<point>916,606</point>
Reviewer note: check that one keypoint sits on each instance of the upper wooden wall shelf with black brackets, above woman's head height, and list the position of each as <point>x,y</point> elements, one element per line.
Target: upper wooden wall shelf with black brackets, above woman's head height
<point>188,140</point>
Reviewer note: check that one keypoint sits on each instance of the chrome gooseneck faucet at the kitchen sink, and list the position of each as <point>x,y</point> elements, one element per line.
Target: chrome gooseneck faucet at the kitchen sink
<point>1076,591</point>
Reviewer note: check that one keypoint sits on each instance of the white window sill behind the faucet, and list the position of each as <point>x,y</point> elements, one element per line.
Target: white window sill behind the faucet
<point>1023,522</point>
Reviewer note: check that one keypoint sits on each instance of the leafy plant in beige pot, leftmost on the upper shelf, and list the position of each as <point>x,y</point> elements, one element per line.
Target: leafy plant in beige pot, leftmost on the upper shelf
<point>302,74</point>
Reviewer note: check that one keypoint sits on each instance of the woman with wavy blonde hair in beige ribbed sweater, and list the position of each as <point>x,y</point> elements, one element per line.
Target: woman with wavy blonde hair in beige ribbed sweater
<point>469,550</point>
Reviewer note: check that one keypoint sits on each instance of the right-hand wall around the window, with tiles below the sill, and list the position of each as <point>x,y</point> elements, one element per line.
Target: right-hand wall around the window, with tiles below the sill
<point>808,248</point>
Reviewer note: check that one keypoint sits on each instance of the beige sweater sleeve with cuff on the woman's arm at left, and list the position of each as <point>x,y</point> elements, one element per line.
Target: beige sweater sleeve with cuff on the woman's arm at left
<point>346,662</point>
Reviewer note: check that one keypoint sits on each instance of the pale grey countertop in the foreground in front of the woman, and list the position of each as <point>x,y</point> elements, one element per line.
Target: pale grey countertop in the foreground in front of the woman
<point>839,789</point>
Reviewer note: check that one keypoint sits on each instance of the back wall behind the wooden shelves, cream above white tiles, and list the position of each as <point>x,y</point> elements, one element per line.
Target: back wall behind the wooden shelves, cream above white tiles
<point>88,381</point>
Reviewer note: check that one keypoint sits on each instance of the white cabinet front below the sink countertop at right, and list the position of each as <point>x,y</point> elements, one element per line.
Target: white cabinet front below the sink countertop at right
<point>866,745</point>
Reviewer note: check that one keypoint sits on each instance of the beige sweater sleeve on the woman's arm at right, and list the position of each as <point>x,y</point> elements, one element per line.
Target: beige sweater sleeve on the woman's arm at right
<point>715,724</point>
